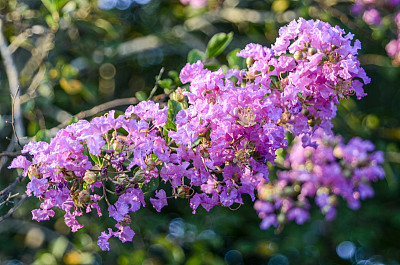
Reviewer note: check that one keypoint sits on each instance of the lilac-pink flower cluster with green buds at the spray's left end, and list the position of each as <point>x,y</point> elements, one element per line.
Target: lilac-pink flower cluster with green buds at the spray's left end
<point>88,158</point>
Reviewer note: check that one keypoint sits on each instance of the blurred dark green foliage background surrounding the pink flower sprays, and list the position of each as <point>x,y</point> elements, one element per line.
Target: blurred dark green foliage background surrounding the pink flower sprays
<point>73,55</point>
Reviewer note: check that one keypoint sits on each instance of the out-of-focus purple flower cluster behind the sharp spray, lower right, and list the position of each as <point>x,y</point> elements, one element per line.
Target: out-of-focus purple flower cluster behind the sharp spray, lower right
<point>334,170</point>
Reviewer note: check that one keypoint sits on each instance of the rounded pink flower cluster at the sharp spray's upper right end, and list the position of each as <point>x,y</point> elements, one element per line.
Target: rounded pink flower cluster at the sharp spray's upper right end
<point>309,69</point>
